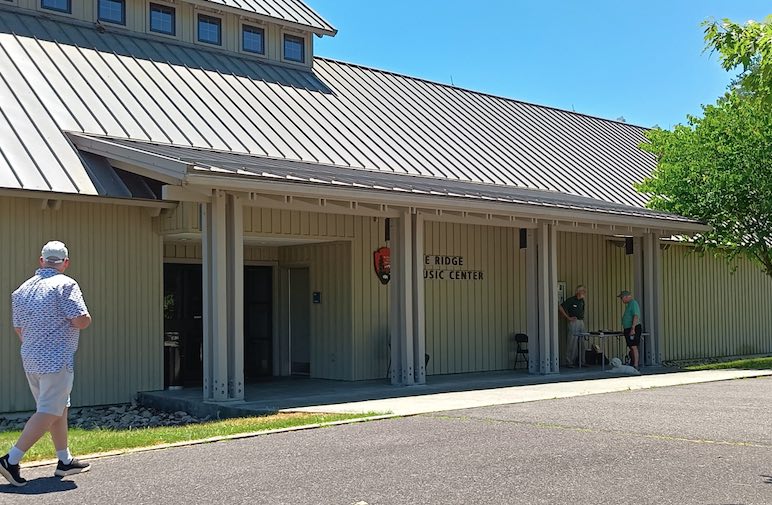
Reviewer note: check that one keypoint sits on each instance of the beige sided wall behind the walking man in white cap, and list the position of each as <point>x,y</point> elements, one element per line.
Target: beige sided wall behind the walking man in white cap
<point>116,258</point>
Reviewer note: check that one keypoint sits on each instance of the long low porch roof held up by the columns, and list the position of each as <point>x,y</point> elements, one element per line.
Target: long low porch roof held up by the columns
<point>184,165</point>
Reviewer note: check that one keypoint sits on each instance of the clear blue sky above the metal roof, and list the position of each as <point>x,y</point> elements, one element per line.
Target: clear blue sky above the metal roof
<point>639,60</point>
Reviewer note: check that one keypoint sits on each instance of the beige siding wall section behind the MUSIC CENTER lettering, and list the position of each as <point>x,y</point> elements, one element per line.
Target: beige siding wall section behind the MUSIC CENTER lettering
<point>468,322</point>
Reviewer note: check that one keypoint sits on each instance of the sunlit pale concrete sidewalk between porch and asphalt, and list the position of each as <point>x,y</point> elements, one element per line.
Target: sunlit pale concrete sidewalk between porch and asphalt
<point>440,402</point>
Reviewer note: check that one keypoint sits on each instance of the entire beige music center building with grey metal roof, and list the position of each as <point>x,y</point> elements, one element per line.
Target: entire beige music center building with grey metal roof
<point>223,189</point>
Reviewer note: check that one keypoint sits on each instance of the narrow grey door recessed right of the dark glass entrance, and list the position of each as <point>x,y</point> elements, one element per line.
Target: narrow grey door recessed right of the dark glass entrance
<point>299,321</point>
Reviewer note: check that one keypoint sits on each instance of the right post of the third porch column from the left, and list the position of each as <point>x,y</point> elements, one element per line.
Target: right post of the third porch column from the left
<point>547,291</point>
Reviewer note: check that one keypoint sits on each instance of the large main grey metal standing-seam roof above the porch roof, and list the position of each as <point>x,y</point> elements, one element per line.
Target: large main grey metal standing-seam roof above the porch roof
<point>56,76</point>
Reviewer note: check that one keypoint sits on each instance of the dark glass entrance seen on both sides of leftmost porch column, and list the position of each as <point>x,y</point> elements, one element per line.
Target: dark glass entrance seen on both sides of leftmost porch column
<point>184,328</point>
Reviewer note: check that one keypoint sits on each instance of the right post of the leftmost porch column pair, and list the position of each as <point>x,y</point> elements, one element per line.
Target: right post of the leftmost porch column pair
<point>235,299</point>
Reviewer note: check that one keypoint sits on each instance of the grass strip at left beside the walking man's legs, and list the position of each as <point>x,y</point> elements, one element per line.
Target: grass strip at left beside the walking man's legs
<point>84,442</point>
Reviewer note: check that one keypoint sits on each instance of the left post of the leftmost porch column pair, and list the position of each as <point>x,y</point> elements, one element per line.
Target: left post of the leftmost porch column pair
<point>215,298</point>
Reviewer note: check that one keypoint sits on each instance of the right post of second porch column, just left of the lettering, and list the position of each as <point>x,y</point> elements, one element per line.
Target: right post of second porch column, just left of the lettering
<point>419,302</point>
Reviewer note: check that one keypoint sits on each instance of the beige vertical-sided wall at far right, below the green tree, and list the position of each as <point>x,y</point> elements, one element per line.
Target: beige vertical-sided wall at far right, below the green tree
<point>708,311</point>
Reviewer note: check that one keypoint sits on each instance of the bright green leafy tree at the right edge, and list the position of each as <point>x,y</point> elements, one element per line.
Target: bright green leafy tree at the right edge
<point>718,168</point>
